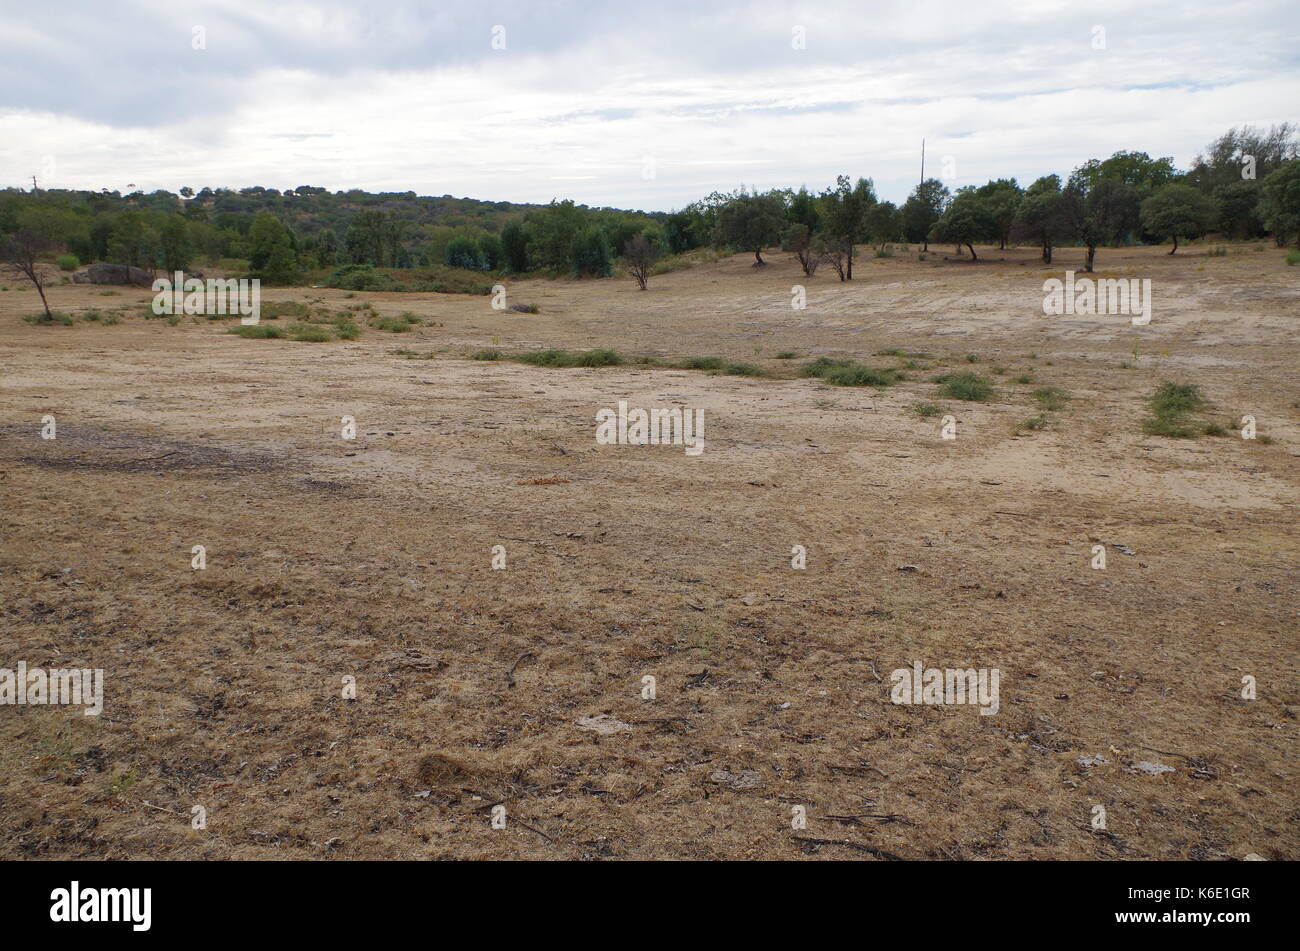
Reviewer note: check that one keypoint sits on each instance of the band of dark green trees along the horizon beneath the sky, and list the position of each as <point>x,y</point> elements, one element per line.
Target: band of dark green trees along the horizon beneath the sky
<point>1245,185</point>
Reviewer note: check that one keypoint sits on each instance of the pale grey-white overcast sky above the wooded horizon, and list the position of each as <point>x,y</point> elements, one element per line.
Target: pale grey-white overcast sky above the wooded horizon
<point>643,105</point>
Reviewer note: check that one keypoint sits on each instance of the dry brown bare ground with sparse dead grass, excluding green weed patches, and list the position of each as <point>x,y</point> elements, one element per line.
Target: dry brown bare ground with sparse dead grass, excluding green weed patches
<point>372,559</point>
